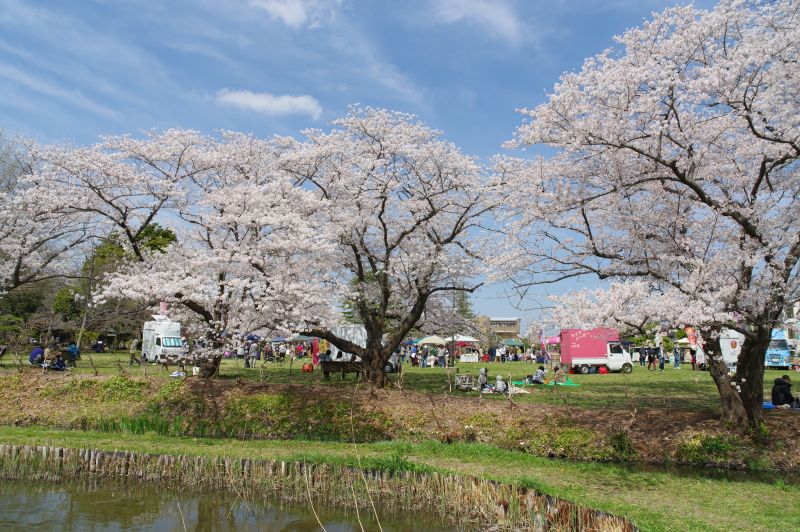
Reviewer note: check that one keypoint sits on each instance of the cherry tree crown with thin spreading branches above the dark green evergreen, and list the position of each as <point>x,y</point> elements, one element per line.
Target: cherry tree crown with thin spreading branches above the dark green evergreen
<point>122,183</point>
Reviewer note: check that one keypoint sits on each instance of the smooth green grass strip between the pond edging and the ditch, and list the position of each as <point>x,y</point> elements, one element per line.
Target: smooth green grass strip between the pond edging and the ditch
<point>654,500</point>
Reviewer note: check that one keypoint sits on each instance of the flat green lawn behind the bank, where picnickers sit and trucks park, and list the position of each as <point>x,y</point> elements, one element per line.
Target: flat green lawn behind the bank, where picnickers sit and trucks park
<point>681,389</point>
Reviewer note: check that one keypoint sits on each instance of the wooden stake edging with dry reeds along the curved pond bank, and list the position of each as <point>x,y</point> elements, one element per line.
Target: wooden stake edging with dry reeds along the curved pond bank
<point>463,501</point>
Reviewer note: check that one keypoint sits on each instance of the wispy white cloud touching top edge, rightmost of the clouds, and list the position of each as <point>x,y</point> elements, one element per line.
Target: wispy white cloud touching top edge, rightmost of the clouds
<point>499,18</point>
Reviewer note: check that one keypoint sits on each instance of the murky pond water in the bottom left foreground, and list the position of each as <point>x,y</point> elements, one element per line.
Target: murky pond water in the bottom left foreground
<point>116,505</point>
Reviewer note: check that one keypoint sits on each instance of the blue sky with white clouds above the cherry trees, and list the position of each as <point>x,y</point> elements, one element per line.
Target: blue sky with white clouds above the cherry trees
<point>72,71</point>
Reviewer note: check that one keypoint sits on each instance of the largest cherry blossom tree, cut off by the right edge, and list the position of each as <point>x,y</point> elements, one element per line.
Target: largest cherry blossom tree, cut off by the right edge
<point>676,164</point>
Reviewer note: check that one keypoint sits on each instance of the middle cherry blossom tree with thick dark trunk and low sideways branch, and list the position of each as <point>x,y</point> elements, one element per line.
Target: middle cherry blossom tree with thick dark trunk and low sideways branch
<point>406,210</point>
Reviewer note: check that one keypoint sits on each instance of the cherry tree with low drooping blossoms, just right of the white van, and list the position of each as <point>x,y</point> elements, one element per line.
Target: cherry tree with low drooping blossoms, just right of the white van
<point>248,255</point>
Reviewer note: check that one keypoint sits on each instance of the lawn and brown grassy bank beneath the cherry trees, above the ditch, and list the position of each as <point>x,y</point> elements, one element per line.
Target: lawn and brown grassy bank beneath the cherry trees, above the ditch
<point>646,416</point>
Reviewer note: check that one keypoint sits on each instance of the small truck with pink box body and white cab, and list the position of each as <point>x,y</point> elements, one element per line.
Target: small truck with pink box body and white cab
<point>595,348</point>
